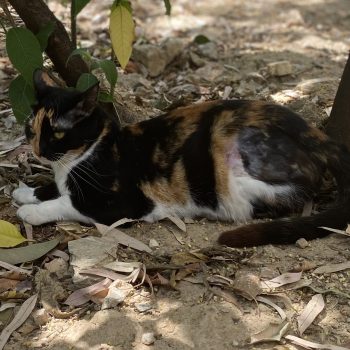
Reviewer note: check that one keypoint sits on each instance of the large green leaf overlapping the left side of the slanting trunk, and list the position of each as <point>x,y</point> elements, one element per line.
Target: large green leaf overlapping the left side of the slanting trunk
<point>24,51</point>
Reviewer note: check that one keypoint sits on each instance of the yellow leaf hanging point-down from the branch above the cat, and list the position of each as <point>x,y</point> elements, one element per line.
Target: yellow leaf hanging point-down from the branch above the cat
<point>121,29</point>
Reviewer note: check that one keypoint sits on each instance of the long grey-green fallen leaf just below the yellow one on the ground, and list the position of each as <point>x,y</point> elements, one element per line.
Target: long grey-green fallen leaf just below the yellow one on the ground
<point>28,253</point>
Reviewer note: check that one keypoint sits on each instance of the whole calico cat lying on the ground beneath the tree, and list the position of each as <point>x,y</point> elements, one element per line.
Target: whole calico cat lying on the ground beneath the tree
<point>225,160</point>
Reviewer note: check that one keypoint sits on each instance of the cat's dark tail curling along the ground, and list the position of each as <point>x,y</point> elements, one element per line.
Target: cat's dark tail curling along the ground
<point>289,230</point>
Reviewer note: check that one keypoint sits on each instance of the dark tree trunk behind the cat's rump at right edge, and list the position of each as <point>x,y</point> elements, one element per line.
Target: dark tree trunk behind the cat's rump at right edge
<point>338,124</point>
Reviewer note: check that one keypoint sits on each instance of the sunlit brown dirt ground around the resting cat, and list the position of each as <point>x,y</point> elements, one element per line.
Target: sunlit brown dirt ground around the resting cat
<point>245,38</point>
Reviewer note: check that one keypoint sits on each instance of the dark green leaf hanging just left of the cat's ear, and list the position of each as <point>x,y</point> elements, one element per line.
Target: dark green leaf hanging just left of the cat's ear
<point>22,97</point>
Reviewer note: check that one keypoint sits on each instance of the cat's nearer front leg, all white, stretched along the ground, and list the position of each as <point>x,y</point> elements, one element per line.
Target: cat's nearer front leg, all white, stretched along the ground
<point>59,209</point>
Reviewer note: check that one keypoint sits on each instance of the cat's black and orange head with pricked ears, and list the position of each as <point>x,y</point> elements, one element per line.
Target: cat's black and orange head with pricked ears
<point>61,122</point>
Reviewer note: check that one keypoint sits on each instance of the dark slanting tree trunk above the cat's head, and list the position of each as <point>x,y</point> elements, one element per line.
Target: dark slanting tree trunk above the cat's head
<point>36,14</point>
